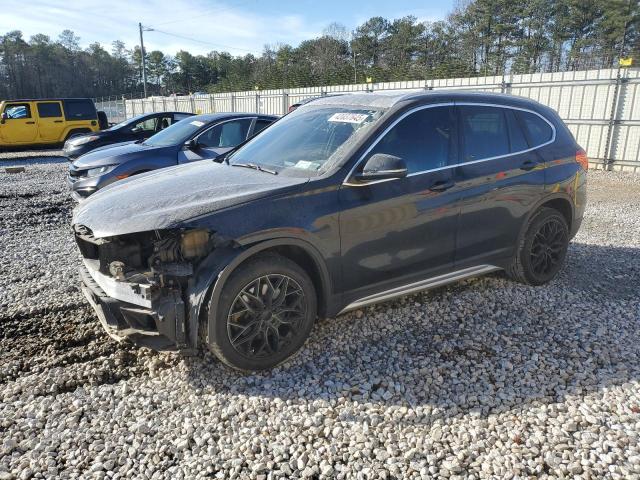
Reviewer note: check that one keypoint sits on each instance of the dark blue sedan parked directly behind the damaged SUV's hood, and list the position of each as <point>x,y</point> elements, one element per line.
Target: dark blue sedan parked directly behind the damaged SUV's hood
<point>195,138</point>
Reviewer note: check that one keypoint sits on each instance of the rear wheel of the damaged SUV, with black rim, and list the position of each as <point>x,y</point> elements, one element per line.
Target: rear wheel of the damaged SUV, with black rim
<point>542,250</point>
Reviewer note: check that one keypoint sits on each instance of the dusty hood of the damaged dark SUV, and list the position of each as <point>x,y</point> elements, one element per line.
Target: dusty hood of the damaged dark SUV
<point>164,198</point>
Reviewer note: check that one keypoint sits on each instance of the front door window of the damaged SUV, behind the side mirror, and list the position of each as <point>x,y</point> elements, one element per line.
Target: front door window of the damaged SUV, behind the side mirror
<point>422,139</point>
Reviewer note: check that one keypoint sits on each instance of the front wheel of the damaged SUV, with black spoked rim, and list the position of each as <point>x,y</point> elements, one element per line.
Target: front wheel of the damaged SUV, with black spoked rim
<point>247,343</point>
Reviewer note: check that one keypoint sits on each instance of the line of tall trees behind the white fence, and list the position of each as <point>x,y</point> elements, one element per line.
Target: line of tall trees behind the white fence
<point>479,37</point>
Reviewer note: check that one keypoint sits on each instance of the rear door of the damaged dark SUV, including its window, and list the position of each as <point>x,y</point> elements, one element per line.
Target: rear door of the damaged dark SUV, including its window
<point>500,177</point>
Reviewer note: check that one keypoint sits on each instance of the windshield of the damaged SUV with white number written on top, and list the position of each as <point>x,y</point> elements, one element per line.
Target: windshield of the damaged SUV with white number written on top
<point>308,140</point>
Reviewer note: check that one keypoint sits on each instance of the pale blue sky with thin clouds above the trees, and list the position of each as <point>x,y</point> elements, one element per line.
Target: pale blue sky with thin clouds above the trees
<point>199,26</point>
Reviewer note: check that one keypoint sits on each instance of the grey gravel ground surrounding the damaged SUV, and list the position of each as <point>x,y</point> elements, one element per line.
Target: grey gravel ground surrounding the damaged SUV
<point>483,379</point>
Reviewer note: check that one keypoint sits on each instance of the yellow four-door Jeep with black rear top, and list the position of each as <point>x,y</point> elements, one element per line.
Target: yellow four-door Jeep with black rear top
<point>41,122</point>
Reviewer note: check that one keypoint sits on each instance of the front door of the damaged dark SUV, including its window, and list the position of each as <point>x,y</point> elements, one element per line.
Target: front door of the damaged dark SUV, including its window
<point>399,231</point>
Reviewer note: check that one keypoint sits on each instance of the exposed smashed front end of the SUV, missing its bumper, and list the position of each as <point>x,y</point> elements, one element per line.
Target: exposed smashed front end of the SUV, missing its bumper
<point>138,283</point>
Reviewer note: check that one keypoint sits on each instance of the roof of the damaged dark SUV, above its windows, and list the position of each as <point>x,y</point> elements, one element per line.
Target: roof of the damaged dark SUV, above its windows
<point>391,98</point>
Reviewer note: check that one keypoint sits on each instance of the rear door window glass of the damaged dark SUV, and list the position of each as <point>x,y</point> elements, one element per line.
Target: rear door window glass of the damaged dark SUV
<point>484,131</point>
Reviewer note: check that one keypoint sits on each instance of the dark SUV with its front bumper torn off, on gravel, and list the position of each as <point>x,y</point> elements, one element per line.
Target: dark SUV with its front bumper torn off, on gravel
<point>345,202</point>
